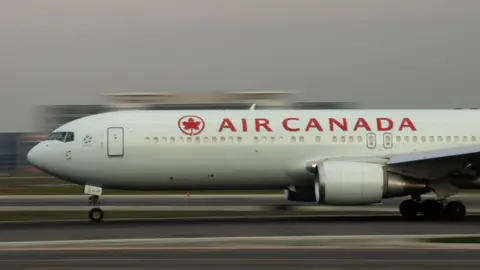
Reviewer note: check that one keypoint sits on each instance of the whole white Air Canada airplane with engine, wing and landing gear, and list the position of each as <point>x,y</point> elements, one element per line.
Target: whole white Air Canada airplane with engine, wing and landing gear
<point>329,157</point>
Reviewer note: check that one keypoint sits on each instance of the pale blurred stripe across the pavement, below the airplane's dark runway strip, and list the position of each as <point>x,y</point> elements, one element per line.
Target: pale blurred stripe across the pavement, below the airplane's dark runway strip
<point>87,244</point>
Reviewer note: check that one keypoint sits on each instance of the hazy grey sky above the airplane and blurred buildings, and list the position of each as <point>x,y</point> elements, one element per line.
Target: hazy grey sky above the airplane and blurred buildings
<point>382,53</point>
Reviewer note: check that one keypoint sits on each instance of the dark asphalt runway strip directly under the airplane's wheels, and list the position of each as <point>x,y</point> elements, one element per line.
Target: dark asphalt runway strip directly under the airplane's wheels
<point>222,227</point>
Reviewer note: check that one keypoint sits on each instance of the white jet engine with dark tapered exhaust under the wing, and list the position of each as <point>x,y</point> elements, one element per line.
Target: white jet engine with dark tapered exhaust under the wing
<point>356,183</point>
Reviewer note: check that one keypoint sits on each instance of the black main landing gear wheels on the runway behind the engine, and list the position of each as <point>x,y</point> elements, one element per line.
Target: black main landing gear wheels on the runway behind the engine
<point>433,209</point>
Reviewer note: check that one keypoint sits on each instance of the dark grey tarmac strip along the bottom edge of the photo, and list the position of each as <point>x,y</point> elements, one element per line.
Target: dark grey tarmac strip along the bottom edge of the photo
<point>241,259</point>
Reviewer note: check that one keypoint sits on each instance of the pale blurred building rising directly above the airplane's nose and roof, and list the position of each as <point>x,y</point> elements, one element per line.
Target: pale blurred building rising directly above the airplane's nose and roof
<point>54,116</point>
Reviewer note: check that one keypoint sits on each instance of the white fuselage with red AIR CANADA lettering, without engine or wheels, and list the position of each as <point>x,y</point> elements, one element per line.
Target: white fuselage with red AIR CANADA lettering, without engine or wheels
<point>263,149</point>
